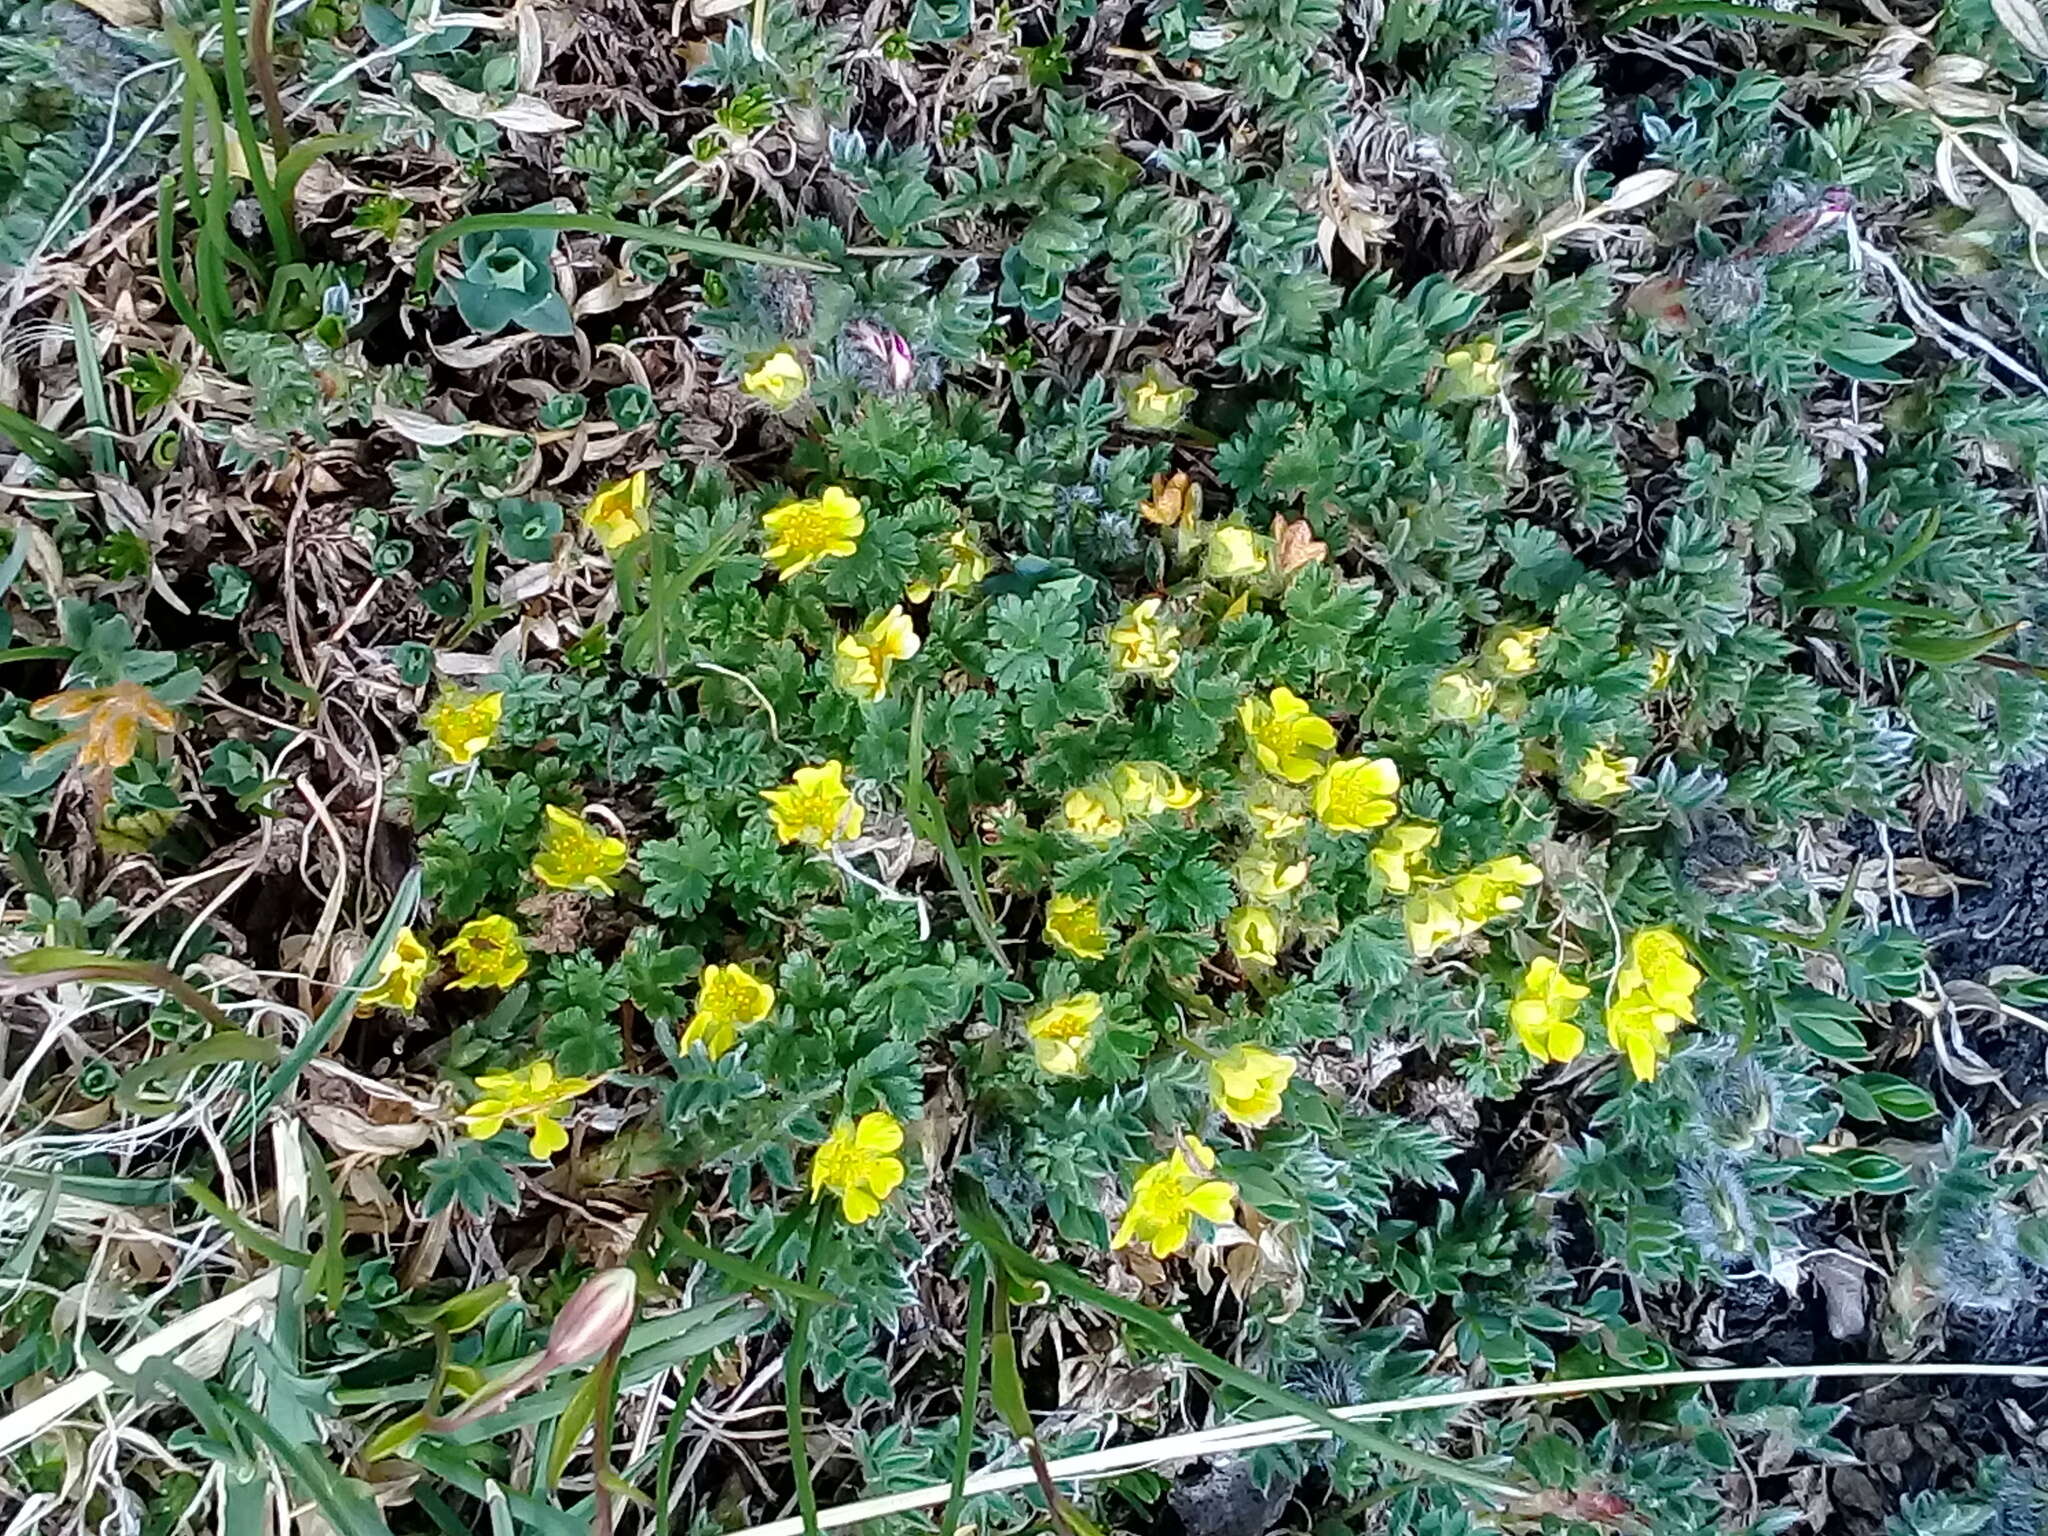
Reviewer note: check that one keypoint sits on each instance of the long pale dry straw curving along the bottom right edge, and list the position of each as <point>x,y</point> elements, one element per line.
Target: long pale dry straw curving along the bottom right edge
<point>1281,1431</point>
